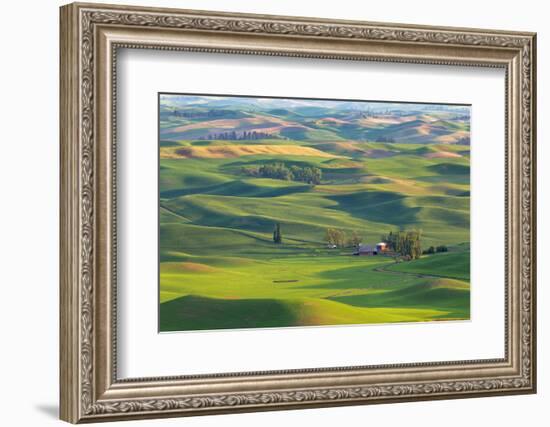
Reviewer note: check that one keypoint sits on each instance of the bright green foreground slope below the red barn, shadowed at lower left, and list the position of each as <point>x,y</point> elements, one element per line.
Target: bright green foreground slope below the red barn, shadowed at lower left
<point>292,291</point>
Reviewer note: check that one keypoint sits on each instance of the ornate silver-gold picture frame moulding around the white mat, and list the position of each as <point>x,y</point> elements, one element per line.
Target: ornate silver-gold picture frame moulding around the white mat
<point>90,37</point>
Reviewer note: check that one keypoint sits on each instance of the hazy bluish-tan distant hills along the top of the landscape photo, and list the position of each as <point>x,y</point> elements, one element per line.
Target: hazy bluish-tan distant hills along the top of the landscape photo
<point>197,117</point>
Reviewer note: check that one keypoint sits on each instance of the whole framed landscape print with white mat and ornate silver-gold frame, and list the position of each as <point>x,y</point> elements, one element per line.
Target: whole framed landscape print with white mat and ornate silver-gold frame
<point>265,212</point>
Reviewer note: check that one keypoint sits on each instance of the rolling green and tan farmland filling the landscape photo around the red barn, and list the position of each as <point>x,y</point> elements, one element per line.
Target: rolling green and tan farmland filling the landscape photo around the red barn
<point>235,171</point>
